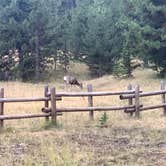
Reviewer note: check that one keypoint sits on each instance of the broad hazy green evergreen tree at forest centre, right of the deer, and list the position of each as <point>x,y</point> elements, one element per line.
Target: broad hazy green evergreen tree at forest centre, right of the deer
<point>96,34</point>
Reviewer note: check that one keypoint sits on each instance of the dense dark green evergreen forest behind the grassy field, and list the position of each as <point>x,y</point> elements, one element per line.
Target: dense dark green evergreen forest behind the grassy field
<point>105,34</point>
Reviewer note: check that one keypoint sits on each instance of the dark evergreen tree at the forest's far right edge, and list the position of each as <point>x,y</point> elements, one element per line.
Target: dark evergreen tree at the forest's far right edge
<point>154,33</point>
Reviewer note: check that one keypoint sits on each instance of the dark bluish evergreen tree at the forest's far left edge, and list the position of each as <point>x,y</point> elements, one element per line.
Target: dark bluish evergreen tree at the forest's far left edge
<point>13,32</point>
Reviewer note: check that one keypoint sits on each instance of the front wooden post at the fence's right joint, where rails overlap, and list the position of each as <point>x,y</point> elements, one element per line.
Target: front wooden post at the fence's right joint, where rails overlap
<point>137,102</point>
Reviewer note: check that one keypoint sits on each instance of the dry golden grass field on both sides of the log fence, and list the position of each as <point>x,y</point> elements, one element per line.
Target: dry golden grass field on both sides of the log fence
<point>76,141</point>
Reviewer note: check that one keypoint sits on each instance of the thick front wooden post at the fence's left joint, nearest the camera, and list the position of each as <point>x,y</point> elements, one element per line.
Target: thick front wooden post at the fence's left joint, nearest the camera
<point>53,106</point>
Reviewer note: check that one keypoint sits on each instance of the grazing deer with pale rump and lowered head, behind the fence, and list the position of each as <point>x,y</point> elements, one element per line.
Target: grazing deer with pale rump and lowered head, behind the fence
<point>71,80</point>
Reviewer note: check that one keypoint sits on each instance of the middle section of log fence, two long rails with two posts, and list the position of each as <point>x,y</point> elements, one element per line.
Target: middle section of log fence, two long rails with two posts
<point>54,110</point>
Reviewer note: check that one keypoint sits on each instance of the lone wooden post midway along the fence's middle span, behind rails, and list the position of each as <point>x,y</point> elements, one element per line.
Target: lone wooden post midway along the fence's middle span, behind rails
<point>90,102</point>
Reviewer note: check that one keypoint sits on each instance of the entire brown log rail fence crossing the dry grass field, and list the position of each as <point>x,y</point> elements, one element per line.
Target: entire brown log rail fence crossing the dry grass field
<point>51,97</point>
